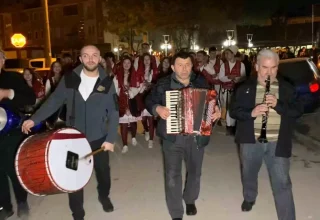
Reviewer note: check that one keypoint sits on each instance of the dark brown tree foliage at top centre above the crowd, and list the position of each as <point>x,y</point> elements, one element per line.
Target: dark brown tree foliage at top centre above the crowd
<point>181,18</point>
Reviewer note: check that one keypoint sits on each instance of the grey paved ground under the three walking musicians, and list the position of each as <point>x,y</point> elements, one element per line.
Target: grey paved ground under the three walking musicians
<point>138,187</point>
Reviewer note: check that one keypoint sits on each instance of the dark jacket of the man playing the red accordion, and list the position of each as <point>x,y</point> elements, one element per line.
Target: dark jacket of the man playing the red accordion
<point>157,97</point>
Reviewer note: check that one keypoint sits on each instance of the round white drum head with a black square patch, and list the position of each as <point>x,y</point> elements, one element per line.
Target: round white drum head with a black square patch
<point>69,172</point>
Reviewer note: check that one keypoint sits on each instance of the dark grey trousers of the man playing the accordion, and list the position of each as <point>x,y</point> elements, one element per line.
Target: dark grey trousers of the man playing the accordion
<point>185,149</point>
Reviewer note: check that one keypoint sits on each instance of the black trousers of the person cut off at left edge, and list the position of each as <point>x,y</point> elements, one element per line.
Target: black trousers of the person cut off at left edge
<point>8,147</point>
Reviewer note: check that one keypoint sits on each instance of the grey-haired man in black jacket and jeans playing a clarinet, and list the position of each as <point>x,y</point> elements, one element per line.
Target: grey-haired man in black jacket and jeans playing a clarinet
<point>280,110</point>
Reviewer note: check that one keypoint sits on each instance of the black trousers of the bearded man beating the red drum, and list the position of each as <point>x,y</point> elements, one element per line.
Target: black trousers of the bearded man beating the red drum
<point>102,170</point>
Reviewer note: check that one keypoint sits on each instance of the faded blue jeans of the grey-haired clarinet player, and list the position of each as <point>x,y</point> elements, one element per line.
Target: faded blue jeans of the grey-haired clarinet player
<point>252,156</point>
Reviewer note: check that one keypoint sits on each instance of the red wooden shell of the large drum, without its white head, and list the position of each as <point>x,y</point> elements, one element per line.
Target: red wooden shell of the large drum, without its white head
<point>32,163</point>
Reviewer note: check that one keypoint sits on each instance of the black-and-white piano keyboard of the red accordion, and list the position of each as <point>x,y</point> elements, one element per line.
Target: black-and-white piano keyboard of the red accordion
<point>173,102</point>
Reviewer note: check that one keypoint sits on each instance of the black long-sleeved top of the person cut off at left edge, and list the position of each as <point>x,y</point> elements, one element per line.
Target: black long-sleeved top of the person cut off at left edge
<point>23,94</point>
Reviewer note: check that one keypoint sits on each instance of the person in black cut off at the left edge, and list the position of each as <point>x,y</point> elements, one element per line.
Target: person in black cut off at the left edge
<point>15,94</point>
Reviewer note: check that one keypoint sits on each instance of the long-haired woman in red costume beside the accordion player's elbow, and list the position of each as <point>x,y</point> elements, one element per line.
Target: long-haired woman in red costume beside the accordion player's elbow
<point>148,72</point>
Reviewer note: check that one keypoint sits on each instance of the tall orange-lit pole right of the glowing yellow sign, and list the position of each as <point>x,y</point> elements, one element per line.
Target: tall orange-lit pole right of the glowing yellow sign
<point>47,47</point>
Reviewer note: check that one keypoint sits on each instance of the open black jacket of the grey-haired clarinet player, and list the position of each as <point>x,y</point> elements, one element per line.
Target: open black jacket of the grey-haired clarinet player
<point>288,107</point>
